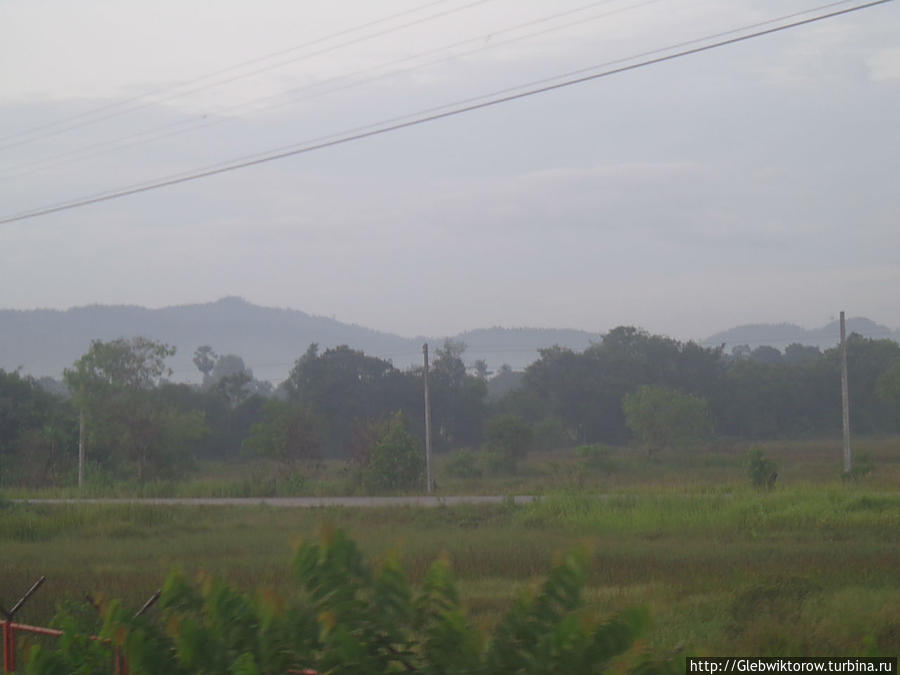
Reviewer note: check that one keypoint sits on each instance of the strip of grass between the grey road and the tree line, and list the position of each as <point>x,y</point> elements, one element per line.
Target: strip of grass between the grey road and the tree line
<point>717,467</point>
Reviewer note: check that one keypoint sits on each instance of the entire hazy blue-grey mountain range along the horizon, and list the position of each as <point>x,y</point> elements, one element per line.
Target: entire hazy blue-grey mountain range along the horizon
<point>44,342</point>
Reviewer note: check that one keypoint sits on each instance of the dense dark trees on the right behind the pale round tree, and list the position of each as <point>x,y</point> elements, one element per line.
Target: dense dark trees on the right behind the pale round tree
<point>752,394</point>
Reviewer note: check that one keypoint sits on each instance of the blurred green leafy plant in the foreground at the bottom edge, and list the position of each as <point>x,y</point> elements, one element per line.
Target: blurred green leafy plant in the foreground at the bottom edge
<point>351,618</point>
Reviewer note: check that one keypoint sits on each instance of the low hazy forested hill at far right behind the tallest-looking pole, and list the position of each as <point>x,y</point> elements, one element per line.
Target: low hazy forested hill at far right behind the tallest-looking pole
<point>783,334</point>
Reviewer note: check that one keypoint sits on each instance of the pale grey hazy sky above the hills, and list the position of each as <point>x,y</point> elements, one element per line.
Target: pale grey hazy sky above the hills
<point>753,183</point>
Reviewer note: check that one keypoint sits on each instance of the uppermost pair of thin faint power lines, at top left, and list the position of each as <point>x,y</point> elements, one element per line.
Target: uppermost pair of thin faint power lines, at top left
<point>179,94</point>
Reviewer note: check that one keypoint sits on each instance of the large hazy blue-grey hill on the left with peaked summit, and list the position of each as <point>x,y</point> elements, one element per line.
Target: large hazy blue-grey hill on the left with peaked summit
<point>44,342</point>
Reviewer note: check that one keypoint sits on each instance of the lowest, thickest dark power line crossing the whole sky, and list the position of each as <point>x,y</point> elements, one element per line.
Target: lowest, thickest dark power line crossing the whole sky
<point>422,118</point>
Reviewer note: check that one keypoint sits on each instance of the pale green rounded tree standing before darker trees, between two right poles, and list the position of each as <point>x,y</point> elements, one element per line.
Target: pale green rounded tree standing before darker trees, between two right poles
<point>662,418</point>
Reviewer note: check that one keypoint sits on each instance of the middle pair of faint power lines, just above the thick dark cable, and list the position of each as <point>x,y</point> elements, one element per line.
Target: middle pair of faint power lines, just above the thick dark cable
<point>186,126</point>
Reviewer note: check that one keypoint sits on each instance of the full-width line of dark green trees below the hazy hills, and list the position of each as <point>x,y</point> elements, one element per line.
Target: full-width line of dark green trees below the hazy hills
<point>630,387</point>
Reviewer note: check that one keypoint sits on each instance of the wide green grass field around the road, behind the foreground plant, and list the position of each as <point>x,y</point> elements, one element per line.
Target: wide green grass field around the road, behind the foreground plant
<point>812,567</point>
